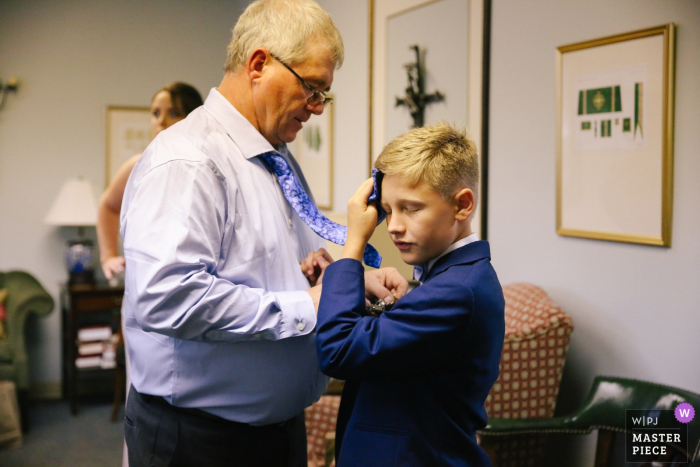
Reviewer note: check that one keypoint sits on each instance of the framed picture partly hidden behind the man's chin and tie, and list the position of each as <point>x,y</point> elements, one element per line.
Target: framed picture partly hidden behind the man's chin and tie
<point>313,150</point>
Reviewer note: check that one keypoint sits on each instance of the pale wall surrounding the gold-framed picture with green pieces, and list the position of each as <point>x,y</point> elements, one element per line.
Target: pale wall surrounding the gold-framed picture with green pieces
<point>635,308</point>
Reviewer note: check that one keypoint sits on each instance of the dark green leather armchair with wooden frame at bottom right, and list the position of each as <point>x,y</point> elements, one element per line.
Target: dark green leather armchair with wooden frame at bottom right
<point>604,410</point>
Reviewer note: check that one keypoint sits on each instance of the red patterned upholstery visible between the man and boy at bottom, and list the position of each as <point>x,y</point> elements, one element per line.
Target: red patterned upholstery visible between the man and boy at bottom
<point>320,422</point>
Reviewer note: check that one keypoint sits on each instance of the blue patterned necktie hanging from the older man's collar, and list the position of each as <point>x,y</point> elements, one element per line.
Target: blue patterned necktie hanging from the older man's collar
<point>307,210</point>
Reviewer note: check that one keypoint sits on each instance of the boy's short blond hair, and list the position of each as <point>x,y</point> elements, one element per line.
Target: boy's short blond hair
<point>441,155</point>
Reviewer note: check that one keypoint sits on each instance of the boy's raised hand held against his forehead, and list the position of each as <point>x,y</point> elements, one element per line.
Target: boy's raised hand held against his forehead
<point>362,220</point>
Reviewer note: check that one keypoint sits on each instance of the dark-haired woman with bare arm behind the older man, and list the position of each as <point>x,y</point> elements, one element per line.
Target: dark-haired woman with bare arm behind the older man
<point>169,105</point>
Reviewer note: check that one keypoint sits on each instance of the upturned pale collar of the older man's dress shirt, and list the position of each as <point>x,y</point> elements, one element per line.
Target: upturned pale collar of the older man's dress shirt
<point>248,139</point>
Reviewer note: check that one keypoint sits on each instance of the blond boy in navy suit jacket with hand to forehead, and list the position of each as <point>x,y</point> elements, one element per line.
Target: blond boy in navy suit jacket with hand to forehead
<point>416,376</point>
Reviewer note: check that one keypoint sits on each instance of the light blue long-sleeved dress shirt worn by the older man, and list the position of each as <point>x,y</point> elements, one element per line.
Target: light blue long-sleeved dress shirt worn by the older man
<point>216,312</point>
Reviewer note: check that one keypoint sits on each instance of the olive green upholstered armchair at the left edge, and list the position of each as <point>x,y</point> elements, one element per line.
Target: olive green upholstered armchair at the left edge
<point>24,295</point>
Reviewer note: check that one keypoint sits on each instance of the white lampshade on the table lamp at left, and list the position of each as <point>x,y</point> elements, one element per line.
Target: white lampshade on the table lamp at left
<point>75,205</point>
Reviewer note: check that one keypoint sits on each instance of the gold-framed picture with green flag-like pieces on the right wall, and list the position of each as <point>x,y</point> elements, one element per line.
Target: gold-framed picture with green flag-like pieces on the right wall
<point>615,104</point>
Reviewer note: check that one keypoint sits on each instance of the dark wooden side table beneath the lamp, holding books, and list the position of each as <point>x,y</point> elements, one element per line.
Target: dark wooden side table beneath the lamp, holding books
<point>85,305</point>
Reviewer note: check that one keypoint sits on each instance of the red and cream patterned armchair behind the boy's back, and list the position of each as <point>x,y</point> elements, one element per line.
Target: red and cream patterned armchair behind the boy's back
<point>534,351</point>
